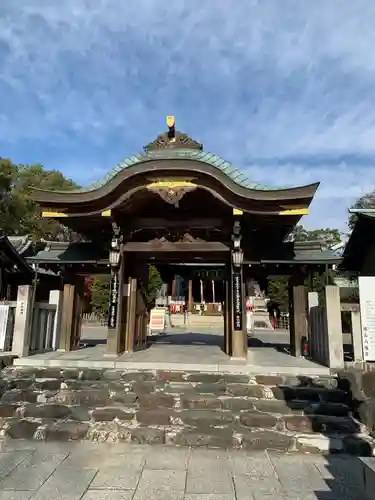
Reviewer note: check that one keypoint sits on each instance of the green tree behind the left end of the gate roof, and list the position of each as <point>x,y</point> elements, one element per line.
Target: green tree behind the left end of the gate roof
<point>19,215</point>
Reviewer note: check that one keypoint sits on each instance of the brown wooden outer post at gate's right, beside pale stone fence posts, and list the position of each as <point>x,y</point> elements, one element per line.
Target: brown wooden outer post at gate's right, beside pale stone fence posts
<point>297,314</point>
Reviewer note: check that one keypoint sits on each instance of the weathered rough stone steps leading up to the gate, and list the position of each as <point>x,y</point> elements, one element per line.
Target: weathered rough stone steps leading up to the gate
<point>290,414</point>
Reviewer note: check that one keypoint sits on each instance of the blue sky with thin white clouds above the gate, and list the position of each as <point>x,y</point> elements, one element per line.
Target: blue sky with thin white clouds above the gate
<point>284,89</point>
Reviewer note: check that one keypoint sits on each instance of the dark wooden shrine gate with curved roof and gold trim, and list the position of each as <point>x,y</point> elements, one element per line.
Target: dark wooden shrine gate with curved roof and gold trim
<point>176,203</point>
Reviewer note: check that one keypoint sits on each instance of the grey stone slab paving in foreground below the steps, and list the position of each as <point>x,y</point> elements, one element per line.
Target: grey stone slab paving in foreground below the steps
<point>129,472</point>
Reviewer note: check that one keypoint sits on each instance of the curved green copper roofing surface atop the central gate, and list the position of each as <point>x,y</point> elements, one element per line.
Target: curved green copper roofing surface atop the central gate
<point>201,156</point>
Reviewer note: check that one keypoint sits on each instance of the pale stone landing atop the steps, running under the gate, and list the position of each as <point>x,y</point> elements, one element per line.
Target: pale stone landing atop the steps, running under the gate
<point>182,350</point>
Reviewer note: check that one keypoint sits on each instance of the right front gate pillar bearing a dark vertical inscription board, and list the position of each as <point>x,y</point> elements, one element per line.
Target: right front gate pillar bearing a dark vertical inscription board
<point>238,326</point>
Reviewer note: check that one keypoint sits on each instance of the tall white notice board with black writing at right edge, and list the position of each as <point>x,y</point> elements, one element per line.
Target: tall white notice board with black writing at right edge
<point>367,305</point>
